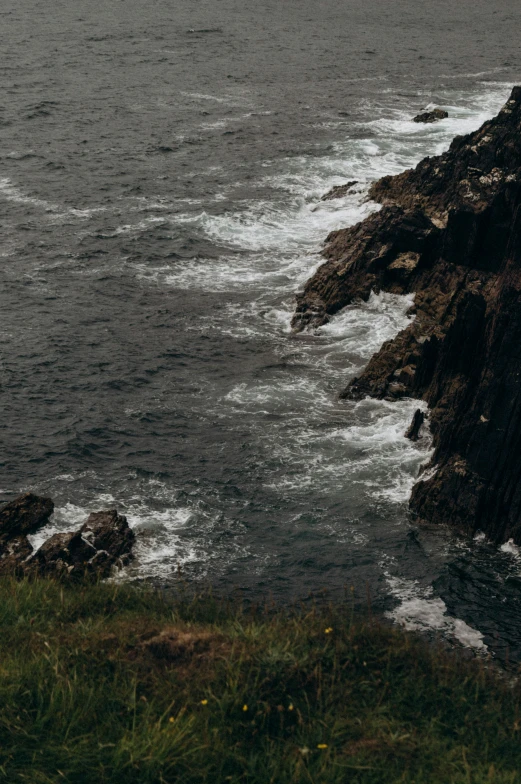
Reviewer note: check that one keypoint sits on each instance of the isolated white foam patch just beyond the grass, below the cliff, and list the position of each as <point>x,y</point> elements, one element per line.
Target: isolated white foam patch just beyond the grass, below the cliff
<point>420,610</point>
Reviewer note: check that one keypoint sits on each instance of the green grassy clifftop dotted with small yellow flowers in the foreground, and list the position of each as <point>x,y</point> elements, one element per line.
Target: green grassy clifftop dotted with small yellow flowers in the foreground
<point>83,700</point>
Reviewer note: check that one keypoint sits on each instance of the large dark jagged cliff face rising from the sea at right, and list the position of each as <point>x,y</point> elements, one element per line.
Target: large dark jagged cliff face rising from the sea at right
<point>450,231</point>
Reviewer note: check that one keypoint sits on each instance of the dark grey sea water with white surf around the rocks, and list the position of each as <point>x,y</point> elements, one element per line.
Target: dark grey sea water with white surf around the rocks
<point>161,167</point>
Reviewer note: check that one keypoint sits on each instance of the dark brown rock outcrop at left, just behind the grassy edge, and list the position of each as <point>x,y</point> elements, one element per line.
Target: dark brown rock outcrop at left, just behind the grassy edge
<point>103,541</point>
